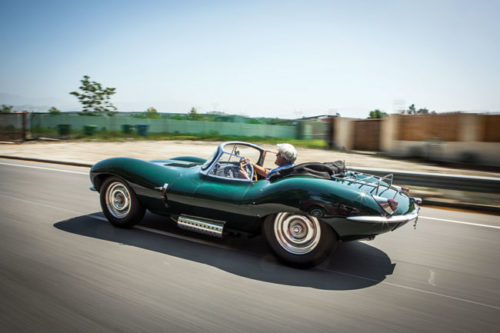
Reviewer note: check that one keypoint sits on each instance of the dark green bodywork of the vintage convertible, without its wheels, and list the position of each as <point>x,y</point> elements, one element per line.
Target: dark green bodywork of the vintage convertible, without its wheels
<point>188,186</point>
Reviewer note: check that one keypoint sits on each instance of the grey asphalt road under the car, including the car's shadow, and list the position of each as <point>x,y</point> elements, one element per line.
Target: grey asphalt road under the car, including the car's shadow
<point>63,268</point>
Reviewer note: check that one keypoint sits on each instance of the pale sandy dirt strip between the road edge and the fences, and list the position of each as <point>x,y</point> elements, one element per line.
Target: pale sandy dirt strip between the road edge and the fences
<point>92,152</point>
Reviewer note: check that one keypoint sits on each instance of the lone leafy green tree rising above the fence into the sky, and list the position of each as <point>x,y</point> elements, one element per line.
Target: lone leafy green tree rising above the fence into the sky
<point>94,98</point>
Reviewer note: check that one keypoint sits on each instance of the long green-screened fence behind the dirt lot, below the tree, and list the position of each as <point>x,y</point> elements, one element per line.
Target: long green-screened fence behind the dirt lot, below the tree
<point>22,126</point>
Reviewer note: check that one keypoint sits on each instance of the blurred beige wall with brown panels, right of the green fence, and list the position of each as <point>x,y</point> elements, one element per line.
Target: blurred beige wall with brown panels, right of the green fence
<point>475,138</point>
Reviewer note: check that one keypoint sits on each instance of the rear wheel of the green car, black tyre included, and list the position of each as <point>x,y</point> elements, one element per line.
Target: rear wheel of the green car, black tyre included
<point>299,240</point>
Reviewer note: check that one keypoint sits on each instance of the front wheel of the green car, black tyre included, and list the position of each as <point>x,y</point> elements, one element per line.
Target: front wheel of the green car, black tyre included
<point>119,203</point>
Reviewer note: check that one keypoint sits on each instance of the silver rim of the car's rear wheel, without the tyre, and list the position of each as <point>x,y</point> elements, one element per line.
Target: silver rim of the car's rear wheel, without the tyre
<point>297,234</point>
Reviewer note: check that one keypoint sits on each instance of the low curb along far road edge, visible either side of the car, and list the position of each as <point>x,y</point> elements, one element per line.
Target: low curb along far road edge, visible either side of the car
<point>426,202</point>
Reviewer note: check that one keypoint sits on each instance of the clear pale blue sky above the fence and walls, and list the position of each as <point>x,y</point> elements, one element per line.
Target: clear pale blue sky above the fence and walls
<point>257,58</point>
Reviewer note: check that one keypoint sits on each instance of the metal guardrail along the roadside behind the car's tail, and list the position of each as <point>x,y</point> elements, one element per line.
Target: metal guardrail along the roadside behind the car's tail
<point>444,181</point>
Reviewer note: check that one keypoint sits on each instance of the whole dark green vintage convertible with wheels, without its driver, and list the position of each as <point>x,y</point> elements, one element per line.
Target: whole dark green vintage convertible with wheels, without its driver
<point>303,211</point>
